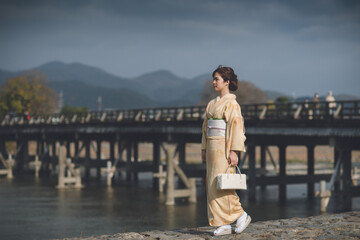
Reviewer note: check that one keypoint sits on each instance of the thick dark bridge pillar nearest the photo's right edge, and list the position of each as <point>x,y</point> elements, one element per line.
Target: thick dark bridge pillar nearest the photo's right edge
<point>346,180</point>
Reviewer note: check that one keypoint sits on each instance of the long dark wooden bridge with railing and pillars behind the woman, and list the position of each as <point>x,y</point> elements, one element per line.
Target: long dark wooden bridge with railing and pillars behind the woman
<point>269,124</point>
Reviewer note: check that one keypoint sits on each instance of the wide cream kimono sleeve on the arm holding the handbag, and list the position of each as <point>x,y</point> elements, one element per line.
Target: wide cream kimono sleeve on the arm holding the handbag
<point>235,130</point>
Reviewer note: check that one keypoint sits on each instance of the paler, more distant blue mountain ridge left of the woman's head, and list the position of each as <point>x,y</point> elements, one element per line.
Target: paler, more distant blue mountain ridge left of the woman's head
<point>158,86</point>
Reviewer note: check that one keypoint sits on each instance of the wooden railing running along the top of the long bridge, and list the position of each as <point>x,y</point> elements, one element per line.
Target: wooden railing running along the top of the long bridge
<point>263,111</point>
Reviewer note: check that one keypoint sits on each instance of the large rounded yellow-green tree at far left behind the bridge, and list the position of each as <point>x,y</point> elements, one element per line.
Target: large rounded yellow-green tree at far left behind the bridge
<point>27,93</point>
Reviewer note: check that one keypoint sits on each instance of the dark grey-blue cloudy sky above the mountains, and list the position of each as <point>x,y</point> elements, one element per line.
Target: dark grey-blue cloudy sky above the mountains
<point>295,47</point>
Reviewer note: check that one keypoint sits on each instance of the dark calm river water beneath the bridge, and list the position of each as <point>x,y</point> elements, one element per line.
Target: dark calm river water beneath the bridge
<point>35,209</point>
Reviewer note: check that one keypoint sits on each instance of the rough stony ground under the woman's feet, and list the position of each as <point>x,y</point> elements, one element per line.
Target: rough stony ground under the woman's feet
<point>330,226</point>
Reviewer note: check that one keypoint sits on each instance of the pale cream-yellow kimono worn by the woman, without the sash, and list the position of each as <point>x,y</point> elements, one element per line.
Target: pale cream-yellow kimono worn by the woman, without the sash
<point>223,205</point>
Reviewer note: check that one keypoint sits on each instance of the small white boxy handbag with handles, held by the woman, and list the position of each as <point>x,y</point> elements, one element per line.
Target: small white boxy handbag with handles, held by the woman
<point>231,180</point>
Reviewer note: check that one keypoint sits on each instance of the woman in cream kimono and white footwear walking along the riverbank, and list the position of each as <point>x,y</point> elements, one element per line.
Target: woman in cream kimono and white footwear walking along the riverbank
<point>223,137</point>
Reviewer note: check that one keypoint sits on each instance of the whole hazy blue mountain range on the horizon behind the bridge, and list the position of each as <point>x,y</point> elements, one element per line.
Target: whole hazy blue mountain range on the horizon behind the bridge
<point>82,85</point>
